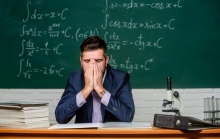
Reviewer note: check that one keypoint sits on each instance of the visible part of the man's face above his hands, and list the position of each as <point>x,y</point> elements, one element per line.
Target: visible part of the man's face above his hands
<point>94,56</point>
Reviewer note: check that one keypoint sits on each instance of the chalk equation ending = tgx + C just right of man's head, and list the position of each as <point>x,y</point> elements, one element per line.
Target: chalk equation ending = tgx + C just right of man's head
<point>129,66</point>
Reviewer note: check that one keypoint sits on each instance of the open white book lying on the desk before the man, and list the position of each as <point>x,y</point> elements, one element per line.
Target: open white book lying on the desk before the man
<point>107,125</point>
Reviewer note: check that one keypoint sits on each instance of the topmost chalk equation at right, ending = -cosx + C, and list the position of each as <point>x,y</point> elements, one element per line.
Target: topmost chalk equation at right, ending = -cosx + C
<point>132,5</point>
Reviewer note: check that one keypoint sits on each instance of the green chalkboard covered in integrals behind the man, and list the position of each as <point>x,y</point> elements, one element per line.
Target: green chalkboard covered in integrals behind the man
<point>149,39</point>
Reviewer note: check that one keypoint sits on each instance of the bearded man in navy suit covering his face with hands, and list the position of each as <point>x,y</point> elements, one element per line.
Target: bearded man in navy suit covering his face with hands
<point>97,93</point>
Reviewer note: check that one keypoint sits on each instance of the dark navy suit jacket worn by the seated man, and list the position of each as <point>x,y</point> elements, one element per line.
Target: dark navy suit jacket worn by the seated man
<point>120,107</point>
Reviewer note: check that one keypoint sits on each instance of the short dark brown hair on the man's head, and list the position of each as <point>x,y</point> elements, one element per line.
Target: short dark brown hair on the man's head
<point>93,43</point>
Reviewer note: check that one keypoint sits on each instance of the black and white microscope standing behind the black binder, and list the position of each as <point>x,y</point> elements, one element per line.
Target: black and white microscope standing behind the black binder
<point>171,95</point>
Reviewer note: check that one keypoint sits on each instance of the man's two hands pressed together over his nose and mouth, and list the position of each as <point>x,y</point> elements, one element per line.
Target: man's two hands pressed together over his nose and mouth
<point>93,79</point>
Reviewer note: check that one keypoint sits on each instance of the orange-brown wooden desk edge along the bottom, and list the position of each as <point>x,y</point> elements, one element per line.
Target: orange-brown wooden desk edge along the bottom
<point>154,133</point>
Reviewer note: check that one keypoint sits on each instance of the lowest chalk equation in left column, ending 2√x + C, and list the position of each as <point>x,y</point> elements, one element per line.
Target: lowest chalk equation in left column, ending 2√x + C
<point>27,70</point>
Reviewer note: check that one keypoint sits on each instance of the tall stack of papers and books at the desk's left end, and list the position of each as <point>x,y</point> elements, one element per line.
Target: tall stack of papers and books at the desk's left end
<point>24,115</point>
